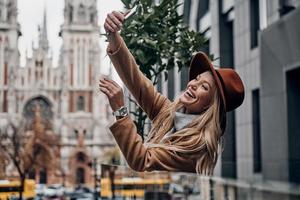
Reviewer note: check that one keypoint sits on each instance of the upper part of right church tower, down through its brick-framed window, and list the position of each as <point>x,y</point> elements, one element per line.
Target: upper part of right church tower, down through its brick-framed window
<point>80,53</point>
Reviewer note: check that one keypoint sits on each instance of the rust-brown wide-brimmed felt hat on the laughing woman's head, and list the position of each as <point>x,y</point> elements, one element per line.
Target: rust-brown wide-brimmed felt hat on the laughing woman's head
<point>228,82</point>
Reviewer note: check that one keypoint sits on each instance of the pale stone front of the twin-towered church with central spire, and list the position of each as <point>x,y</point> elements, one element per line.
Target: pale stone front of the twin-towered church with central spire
<point>67,94</point>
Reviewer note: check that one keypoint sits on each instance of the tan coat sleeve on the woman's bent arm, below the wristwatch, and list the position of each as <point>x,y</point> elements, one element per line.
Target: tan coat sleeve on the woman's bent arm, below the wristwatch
<point>142,158</point>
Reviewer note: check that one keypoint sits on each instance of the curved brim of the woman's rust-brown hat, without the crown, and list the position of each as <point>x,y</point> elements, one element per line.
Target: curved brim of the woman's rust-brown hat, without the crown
<point>201,63</point>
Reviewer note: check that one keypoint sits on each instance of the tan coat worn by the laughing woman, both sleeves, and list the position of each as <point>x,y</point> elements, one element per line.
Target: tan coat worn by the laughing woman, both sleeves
<point>138,156</point>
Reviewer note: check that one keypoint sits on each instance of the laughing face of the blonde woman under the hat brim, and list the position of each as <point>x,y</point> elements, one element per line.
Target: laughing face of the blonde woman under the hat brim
<point>199,93</point>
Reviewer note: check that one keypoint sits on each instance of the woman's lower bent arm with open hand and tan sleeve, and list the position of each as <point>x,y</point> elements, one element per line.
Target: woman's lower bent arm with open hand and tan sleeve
<point>138,156</point>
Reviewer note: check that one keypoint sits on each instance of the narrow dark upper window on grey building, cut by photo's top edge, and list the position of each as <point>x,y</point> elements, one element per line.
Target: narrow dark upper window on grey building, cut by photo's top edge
<point>254,22</point>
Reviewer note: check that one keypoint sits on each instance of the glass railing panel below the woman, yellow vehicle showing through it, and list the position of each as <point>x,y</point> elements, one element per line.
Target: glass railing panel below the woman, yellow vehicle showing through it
<point>119,182</point>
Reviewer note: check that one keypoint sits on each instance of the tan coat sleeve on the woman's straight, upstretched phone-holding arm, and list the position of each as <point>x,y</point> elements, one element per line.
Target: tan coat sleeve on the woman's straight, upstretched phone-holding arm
<point>140,87</point>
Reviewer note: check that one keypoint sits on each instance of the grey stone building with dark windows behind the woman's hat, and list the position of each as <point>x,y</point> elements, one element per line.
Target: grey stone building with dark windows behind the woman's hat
<point>259,39</point>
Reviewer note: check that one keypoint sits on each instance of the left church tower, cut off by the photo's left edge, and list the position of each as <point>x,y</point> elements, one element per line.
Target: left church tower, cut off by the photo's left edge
<point>9,34</point>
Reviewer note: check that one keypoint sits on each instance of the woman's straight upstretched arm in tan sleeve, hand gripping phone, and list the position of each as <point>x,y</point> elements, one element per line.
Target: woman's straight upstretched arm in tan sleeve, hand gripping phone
<point>140,87</point>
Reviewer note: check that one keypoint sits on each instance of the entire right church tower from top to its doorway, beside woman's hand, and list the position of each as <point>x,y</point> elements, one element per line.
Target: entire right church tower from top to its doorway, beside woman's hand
<point>83,108</point>
